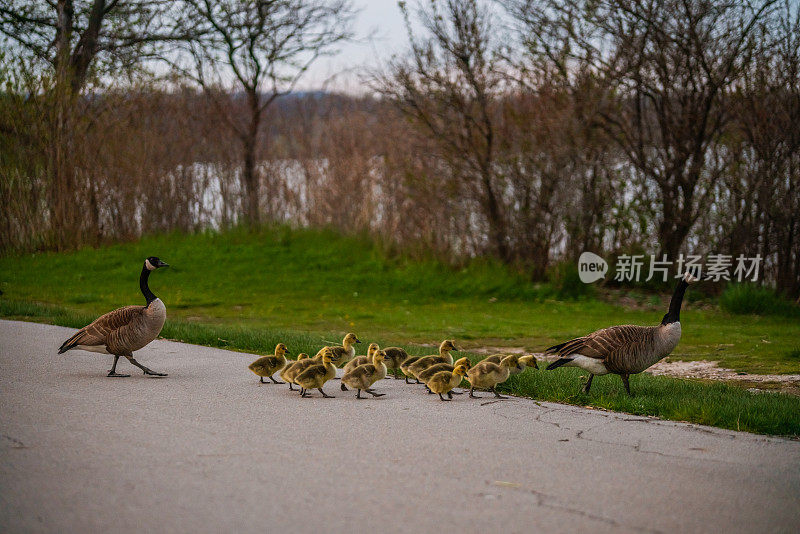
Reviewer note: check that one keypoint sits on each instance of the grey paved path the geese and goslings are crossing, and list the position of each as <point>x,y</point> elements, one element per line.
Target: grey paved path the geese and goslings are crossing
<point>208,449</point>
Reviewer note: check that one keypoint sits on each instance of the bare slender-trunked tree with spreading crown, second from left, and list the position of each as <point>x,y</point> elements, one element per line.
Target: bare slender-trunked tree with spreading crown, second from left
<point>263,47</point>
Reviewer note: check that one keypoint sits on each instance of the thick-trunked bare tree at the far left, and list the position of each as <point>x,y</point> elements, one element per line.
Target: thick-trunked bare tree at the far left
<point>74,42</point>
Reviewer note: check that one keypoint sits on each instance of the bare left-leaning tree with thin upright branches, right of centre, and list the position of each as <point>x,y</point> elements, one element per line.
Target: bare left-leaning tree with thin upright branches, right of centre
<point>447,85</point>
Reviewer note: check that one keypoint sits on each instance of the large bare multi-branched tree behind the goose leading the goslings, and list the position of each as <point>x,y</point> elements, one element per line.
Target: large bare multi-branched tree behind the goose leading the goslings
<point>668,65</point>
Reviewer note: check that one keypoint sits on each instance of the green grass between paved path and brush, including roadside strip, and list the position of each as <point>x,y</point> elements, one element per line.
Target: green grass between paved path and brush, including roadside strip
<point>247,291</point>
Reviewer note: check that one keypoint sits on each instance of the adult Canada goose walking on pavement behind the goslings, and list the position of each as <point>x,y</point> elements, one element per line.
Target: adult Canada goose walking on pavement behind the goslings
<point>125,330</point>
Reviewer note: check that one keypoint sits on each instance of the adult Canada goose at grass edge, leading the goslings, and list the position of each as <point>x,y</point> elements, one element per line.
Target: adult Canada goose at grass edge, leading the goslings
<point>627,349</point>
